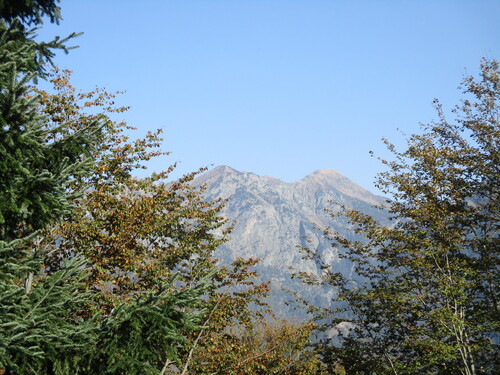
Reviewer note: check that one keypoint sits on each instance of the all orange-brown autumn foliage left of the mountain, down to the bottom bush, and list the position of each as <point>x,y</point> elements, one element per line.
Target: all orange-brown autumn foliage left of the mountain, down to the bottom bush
<point>140,235</point>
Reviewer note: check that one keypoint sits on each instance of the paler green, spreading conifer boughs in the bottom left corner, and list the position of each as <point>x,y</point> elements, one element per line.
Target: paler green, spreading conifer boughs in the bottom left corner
<point>40,330</point>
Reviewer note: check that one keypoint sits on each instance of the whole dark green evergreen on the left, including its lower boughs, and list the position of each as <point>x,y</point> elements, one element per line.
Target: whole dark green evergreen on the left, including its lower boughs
<point>50,319</point>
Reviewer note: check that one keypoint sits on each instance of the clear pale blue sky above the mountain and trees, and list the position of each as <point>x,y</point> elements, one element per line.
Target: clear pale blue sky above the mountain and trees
<point>279,88</point>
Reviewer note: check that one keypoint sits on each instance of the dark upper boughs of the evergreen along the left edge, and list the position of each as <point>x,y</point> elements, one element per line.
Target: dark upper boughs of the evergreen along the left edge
<point>34,171</point>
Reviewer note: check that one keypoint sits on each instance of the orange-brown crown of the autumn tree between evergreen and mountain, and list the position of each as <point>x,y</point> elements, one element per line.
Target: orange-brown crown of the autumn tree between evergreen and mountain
<point>136,233</point>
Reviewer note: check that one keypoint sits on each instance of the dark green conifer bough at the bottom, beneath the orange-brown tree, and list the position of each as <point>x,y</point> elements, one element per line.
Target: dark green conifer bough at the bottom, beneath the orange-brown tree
<point>140,337</point>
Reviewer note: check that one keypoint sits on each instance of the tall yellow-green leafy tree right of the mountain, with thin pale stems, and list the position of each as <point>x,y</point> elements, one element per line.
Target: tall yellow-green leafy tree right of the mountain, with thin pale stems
<point>429,299</point>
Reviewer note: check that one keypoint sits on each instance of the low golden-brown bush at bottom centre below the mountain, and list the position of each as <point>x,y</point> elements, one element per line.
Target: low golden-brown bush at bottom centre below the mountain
<point>269,346</point>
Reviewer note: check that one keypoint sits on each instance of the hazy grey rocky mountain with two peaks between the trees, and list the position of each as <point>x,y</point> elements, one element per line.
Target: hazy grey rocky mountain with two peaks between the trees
<point>274,217</point>
